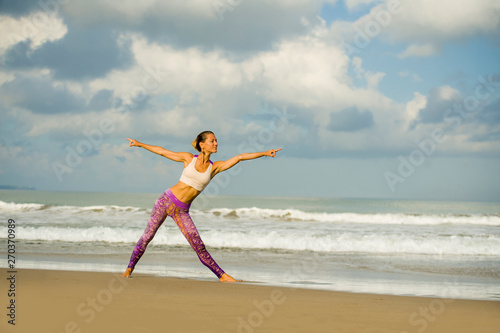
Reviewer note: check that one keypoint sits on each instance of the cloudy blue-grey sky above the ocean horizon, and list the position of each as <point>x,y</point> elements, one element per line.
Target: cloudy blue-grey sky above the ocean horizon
<point>373,99</point>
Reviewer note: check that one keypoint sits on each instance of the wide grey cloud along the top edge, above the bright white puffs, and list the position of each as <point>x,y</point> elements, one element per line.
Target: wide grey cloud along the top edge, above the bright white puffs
<point>184,24</point>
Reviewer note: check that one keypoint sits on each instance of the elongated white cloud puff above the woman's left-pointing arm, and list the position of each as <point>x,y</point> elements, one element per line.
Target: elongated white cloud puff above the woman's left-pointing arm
<point>162,69</point>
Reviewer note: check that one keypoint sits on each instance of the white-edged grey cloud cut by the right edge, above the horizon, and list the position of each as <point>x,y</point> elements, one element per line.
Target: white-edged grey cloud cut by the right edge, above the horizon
<point>465,123</point>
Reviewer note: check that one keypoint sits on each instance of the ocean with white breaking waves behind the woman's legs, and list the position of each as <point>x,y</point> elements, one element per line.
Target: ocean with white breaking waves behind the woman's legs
<point>418,248</point>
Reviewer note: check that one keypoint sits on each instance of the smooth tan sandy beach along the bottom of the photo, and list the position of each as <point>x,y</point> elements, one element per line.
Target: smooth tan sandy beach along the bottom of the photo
<point>72,302</point>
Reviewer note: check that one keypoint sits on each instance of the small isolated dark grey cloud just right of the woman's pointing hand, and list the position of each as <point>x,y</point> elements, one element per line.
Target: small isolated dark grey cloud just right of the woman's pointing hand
<point>350,120</point>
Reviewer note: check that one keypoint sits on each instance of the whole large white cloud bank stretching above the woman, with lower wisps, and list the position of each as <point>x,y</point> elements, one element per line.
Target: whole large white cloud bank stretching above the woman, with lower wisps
<point>310,74</point>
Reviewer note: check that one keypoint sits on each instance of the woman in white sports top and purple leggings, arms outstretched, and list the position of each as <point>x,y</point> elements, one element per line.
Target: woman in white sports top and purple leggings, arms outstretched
<point>175,202</point>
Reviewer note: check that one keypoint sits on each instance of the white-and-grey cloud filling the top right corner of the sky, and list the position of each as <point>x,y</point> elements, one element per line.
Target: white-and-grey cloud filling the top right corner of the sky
<point>423,25</point>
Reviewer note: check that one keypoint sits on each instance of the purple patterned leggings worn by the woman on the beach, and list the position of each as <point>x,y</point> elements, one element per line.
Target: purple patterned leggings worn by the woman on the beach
<point>168,205</point>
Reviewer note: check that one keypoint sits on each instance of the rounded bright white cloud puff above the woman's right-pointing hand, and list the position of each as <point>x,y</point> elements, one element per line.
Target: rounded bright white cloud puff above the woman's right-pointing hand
<point>305,72</point>
